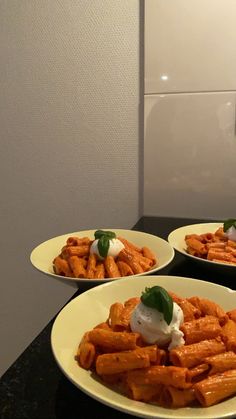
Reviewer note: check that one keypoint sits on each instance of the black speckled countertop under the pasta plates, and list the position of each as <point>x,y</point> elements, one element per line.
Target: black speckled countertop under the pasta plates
<point>34,387</point>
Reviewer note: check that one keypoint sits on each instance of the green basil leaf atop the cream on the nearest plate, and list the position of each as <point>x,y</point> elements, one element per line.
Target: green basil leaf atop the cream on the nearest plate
<point>158,298</point>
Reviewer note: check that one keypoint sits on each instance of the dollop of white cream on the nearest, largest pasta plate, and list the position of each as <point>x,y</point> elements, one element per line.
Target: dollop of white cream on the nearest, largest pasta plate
<point>151,325</point>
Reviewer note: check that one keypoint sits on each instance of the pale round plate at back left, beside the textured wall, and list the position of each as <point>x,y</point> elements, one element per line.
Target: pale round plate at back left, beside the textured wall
<point>42,256</point>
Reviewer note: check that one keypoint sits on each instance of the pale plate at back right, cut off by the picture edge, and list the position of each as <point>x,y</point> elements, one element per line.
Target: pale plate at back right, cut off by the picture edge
<point>177,240</point>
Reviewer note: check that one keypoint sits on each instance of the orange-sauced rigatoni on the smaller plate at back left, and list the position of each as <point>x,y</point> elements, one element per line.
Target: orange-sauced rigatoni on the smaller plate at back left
<point>78,260</point>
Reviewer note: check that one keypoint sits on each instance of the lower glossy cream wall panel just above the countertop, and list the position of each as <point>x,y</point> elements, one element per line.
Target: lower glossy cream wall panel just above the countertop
<point>190,155</point>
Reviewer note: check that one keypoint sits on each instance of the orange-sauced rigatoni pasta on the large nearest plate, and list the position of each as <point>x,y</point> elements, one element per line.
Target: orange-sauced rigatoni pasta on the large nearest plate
<point>200,372</point>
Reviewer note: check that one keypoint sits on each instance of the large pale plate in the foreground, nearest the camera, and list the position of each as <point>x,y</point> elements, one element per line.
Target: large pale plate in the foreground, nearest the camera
<point>72,323</point>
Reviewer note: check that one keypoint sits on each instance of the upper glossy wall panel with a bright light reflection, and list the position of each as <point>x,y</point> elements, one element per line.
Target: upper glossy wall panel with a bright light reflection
<point>190,45</point>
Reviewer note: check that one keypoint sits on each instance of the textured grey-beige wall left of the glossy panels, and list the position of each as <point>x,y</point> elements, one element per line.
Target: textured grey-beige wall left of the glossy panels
<point>69,142</point>
